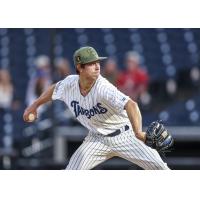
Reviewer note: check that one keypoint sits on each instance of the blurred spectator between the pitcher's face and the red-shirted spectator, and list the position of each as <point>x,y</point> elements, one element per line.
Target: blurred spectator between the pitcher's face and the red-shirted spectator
<point>110,70</point>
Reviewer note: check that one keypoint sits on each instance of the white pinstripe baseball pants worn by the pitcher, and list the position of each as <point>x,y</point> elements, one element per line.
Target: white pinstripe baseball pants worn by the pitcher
<point>97,148</point>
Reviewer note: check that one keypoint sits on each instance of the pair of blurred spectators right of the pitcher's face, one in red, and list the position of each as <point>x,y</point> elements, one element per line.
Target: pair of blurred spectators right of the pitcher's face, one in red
<point>133,80</point>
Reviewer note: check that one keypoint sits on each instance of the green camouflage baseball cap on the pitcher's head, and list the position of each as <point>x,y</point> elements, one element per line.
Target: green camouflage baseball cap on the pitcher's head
<point>86,55</point>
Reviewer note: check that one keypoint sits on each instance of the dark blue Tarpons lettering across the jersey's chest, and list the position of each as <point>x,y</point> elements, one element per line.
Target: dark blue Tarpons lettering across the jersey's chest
<point>78,110</point>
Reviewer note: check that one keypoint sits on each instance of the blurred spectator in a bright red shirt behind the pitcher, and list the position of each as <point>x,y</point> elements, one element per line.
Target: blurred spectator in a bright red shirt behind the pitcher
<point>134,80</point>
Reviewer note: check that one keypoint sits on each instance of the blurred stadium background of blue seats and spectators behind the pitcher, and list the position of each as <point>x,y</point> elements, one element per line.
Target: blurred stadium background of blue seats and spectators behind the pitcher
<point>158,68</point>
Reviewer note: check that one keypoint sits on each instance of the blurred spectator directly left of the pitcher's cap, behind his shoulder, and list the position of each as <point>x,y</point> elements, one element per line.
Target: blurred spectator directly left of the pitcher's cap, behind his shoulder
<point>62,69</point>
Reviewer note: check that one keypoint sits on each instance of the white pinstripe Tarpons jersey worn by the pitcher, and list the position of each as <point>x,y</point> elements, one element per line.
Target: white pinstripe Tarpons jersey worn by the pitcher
<point>101,110</point>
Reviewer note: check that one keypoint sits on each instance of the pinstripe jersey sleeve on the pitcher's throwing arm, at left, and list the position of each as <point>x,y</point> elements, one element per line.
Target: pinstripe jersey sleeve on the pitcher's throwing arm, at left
<point>59,92</point>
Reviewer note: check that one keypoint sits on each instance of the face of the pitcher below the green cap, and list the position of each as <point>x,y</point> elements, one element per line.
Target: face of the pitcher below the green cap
<point>91,70</point>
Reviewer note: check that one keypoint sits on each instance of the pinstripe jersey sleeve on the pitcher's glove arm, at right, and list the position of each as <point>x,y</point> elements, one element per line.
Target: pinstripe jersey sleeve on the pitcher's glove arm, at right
<point>114,98</point>
